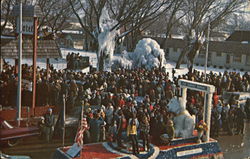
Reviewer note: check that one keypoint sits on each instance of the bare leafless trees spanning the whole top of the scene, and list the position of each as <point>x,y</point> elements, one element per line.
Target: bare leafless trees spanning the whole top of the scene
<point>107,22</point>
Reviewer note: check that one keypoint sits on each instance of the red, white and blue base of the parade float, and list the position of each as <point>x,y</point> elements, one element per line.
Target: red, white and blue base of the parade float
<point>179,148</point>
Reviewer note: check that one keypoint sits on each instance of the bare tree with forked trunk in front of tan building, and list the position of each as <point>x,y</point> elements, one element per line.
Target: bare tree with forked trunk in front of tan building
<point>199,14</point>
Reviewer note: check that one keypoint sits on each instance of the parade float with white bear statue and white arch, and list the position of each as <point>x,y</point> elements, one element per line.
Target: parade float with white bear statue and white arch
<point>187,144</point>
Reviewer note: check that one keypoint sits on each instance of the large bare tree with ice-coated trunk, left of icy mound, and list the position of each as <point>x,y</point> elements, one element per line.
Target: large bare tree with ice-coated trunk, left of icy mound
<point>121,15</point>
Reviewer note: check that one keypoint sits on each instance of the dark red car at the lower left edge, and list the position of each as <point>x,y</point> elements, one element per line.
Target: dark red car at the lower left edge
<point>12,135</point>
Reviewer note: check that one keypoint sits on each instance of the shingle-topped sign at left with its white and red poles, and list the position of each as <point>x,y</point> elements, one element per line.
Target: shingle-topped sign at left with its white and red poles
<point>27,21</point>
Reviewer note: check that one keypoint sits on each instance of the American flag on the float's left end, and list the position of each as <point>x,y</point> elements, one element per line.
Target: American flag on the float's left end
<point>79,135</point>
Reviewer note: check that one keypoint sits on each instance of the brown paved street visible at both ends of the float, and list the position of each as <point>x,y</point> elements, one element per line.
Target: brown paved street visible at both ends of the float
<point>234,147</point>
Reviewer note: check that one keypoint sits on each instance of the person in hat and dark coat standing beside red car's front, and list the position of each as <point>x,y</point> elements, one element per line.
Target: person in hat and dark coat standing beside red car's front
<point>49,120</point>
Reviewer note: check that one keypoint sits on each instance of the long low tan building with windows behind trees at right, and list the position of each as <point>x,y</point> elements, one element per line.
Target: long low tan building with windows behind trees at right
<point>234,52</point>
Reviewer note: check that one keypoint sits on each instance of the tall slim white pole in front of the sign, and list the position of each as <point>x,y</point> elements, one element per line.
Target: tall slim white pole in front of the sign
<point>19,87</point>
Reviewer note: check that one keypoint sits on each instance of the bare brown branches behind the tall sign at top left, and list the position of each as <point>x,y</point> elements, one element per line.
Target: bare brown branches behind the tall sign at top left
<point>54,13</point>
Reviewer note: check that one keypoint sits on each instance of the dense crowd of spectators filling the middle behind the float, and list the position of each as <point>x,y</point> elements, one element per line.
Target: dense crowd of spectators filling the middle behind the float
<point>117,95</point>
